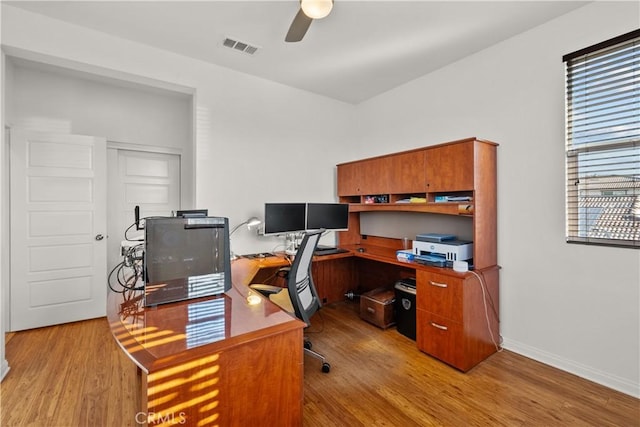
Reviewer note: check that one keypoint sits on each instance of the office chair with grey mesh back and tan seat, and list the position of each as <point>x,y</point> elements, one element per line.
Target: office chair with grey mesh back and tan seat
<point>300,296</point>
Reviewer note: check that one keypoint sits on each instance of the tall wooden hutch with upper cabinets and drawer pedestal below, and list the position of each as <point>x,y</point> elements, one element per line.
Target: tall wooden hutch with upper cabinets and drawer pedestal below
<point>452,308</point>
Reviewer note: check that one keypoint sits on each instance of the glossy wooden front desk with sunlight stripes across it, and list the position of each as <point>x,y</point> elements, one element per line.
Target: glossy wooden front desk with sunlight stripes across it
<point>213,361</point>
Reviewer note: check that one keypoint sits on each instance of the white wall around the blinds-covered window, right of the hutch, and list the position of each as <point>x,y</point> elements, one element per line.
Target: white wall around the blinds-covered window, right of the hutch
<point>572,306</point>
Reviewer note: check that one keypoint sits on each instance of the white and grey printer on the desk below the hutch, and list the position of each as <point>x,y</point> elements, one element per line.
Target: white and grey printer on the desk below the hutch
<point>441,250</point>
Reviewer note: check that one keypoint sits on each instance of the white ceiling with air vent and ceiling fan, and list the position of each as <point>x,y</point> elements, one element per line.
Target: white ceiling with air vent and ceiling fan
<point>362,49</point>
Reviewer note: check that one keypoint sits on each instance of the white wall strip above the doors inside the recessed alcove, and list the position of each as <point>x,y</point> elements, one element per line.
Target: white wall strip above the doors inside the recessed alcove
<point>76,103</point>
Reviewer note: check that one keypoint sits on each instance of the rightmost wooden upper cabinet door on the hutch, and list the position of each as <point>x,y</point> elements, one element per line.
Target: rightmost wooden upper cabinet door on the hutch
<point>450,167</point>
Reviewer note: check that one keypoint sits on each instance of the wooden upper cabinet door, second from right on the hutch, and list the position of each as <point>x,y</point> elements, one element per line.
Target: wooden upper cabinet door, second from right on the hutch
<point>407,173</point>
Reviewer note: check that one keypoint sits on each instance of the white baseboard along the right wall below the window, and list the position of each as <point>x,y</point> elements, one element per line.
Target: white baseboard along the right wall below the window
<point>603,378</point>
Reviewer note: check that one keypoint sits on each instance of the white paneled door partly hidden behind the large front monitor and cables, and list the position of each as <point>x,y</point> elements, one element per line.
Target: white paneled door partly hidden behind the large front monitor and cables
<point>149,180</point>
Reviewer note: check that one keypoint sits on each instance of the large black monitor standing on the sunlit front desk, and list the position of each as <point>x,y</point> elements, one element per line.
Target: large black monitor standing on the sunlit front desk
<point>186,258</point>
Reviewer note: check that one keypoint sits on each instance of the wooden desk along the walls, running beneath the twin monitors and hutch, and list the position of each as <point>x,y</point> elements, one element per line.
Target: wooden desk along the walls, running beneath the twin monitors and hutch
<point>456,313</point>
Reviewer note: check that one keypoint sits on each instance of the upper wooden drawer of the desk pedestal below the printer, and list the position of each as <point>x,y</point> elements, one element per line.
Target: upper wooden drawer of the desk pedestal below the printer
<point>440,294</point>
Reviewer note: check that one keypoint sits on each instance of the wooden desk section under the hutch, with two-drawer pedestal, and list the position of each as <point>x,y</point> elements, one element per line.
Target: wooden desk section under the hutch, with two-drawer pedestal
<point>456,313</point>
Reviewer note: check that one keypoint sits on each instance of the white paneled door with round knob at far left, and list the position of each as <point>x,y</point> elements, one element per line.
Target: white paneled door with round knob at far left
<point>58,225</point>
